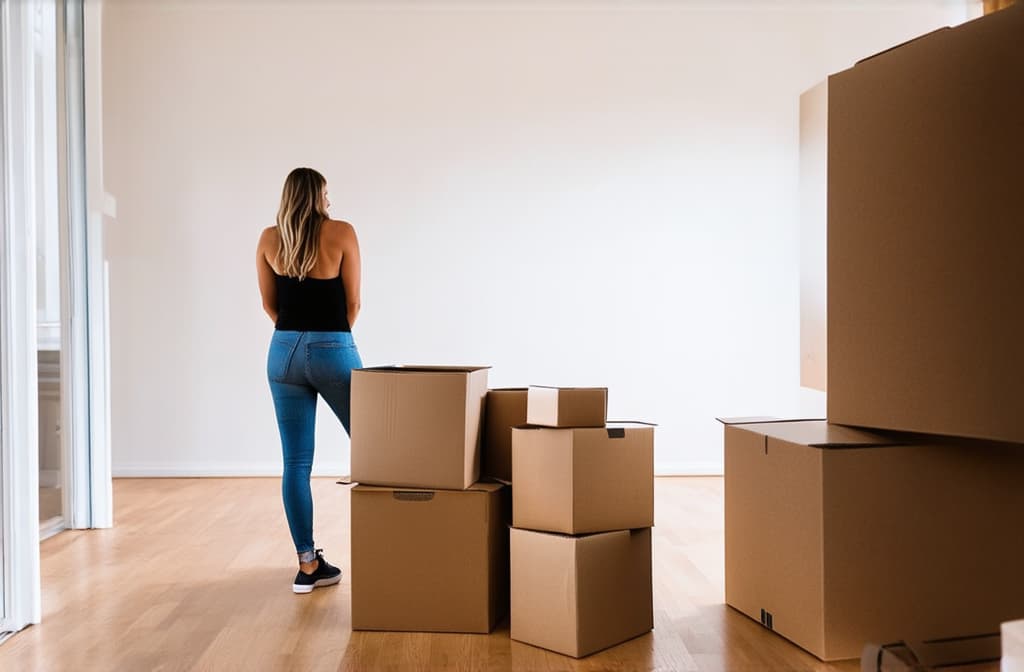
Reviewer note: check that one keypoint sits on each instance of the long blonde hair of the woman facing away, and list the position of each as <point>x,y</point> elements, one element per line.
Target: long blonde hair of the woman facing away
<point>300,220</point>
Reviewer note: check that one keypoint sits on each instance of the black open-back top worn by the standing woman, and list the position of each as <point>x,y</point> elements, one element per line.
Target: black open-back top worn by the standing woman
<point>312,305</point>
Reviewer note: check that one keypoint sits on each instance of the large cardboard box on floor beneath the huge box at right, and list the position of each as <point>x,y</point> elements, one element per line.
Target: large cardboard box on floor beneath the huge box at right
<point>836,538</point>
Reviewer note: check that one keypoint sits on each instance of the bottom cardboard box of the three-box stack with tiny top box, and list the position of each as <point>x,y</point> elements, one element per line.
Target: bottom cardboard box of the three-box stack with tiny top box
<point>578,596</point>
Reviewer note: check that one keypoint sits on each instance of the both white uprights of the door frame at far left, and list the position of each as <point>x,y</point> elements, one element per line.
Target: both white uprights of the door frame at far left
<point>86,345</point>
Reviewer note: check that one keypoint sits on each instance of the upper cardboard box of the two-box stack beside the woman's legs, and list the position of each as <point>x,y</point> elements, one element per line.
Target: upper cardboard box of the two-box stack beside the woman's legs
<point>418,427</point>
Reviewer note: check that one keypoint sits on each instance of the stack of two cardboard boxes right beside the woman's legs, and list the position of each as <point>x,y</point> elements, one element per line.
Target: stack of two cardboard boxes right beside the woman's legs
<point>430,542</point>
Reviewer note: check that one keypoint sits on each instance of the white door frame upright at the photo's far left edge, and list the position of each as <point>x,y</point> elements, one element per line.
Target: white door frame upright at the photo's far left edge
<point>19,404</point>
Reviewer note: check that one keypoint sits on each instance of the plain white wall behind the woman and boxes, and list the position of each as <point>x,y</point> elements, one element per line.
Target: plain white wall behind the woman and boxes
<point>575,193</point>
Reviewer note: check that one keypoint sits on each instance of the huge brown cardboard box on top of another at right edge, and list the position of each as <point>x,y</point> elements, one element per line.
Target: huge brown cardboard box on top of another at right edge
<point>925,235</point>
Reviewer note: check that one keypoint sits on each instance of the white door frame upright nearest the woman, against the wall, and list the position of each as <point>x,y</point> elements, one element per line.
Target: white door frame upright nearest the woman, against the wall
<point>86,344</point>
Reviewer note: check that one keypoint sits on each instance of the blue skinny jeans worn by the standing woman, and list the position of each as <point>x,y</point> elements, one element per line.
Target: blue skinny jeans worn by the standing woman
<point>300,366</point>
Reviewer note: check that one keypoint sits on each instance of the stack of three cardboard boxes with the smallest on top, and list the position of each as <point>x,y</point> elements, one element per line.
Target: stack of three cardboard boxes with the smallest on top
<point>583,509</point>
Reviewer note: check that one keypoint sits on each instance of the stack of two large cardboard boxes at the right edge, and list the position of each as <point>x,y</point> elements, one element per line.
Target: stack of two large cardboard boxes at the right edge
<point>838,536</point>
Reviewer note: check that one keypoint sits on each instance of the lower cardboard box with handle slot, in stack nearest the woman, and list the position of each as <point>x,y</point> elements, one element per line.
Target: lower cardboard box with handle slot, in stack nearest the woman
<point>430,561</point>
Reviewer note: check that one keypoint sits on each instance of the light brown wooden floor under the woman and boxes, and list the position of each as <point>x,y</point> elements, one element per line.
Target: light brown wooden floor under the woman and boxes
<point>197,576</point>
